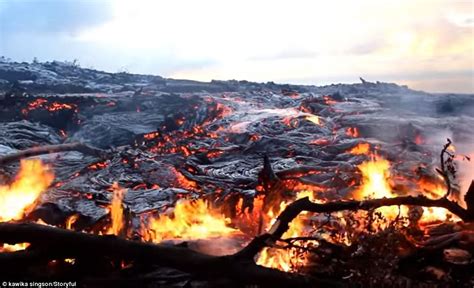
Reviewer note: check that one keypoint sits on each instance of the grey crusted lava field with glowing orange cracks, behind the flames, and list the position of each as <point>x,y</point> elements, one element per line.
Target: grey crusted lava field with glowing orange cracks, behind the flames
<point>179,138</point>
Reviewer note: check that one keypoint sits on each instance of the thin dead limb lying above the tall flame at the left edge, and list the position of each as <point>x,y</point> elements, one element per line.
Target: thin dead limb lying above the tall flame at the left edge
<point>48,149</point>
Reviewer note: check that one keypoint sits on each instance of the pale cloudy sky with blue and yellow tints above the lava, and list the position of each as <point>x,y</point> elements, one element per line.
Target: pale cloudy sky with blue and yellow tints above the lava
<point>425,44</point>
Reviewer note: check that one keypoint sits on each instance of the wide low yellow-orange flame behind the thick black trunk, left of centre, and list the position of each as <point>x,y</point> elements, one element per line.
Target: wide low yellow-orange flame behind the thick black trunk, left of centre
<point>190,220</point>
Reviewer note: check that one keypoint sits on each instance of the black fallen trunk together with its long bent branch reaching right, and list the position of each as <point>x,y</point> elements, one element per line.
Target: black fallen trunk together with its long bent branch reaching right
<point>240,267</point>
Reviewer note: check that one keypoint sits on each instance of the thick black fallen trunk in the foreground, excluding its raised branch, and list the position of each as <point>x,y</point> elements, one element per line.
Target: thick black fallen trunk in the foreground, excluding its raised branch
<point>60,244</point>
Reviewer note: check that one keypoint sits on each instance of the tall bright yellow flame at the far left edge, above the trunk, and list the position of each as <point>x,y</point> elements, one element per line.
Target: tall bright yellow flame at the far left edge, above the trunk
<point>17,198</point>
